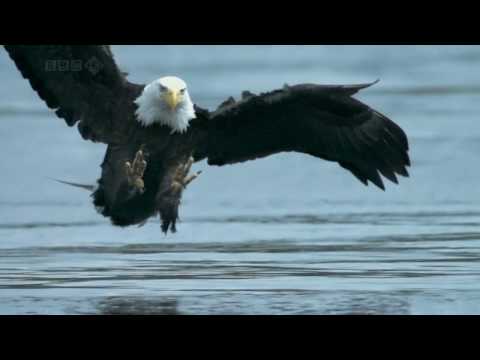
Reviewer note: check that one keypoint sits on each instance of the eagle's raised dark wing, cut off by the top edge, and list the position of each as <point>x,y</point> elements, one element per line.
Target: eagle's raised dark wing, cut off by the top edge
<point>81,83</point>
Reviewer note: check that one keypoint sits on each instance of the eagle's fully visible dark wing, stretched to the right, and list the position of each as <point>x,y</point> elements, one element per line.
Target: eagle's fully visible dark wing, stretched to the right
<point>323,121</point>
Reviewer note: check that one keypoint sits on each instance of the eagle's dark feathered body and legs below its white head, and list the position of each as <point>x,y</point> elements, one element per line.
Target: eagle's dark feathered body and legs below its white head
<point>114,198</point>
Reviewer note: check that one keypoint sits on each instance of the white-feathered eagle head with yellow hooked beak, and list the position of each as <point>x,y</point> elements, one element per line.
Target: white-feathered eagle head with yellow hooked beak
<point>166,101</point>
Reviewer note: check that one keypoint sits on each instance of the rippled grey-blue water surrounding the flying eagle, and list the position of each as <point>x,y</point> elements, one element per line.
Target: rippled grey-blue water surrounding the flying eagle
<point>289,234</point>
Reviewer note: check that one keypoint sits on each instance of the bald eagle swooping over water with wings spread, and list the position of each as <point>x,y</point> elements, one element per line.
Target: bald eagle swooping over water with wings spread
<point>155,132</point>
